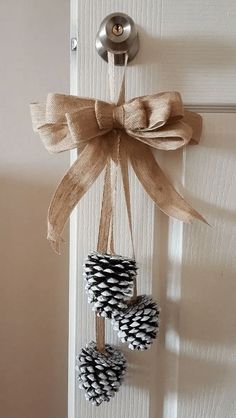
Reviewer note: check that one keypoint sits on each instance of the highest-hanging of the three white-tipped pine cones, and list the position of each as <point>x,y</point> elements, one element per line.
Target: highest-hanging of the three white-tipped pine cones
<point>109,282</point>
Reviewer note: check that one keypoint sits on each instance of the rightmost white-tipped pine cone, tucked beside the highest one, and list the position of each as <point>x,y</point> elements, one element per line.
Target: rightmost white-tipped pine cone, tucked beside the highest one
<point>138,324</point>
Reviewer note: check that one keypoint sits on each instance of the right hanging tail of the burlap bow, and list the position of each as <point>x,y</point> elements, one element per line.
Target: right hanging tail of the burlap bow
<point>157,184</point>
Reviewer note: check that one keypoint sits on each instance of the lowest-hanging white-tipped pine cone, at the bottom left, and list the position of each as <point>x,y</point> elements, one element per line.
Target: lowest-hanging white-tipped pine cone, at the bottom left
<point>100,375</point>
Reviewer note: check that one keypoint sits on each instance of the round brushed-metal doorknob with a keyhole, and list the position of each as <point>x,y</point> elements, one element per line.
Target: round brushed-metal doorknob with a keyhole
<point>117,34</point>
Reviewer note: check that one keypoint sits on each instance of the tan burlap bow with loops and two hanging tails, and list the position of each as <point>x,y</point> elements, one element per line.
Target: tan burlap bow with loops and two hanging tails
<point>158,121</point>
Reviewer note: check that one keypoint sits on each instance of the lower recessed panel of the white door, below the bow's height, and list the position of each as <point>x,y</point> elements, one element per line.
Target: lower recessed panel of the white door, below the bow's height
<point>207,362</point>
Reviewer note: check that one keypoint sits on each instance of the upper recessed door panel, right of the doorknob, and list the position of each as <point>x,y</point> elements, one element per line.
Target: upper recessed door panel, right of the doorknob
<point>196,52</point>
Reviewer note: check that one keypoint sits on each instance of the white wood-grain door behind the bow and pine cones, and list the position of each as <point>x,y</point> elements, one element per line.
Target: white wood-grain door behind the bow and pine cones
<point>190,372</point>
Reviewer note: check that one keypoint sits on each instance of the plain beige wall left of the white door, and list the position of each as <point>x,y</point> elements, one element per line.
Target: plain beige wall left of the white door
<point>34,45</point>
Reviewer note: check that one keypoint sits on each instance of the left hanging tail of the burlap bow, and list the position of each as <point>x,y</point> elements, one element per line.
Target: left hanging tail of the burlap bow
<point>76,182</point>
